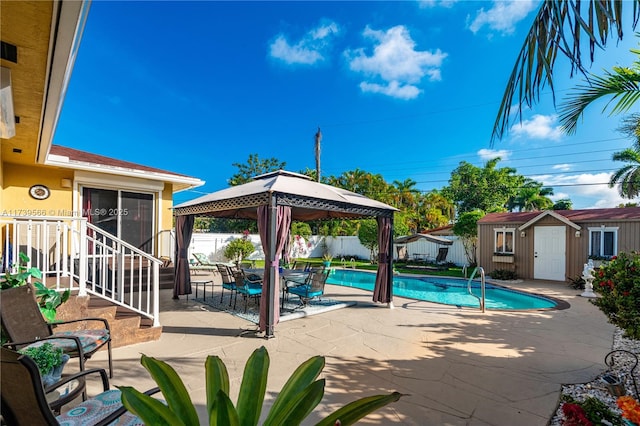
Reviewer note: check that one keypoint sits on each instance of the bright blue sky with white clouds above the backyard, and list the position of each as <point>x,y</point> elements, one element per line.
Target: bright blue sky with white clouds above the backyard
<point>405,89</point>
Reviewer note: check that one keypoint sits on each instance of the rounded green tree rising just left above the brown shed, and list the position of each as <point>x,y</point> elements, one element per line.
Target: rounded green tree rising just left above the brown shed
<point>487,189</point>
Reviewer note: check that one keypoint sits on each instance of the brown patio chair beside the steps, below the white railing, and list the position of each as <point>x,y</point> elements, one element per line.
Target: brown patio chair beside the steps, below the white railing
<point>25,326</point>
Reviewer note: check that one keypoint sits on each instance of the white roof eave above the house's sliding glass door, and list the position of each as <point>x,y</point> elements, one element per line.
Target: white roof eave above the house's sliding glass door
<point>179,182</point>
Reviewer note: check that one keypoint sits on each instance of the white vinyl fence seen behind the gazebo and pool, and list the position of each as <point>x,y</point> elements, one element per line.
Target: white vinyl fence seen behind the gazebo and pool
<point>212,245</point>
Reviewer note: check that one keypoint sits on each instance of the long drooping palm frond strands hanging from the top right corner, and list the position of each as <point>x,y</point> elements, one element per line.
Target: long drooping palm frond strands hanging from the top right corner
<point>559,27</point>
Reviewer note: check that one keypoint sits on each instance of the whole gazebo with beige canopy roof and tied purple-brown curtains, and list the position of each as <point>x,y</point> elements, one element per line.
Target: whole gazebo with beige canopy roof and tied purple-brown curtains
<point>276,199</point>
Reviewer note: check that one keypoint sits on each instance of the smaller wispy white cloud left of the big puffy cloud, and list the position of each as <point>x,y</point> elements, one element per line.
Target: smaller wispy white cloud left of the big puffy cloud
<point>310,49</point>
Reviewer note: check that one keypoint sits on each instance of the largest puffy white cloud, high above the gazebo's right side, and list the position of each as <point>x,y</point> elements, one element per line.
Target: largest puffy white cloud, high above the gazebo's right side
<point>396,67</point>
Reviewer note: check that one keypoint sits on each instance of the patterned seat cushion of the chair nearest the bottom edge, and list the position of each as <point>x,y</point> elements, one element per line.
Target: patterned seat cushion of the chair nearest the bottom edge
<point>95,409</point>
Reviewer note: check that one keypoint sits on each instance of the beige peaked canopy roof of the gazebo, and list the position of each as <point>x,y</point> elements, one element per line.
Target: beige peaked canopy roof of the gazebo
<point>308,200</point>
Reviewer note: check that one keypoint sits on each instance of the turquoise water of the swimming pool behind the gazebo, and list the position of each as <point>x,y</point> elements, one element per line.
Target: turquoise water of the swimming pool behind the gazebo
<point>449,291</point>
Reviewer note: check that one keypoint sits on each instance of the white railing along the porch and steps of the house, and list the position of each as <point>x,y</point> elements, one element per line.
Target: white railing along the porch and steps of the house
<point>74,254</point>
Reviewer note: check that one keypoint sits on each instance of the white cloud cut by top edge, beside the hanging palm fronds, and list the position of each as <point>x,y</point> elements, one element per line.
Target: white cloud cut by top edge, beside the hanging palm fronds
<point>502,16</point>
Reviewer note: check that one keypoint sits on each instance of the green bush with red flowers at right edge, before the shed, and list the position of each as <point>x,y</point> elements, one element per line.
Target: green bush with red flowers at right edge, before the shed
<point>618,284</point>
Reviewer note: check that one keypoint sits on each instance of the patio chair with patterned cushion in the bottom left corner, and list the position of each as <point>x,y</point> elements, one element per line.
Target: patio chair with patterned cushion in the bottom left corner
<point>24,399</point>
